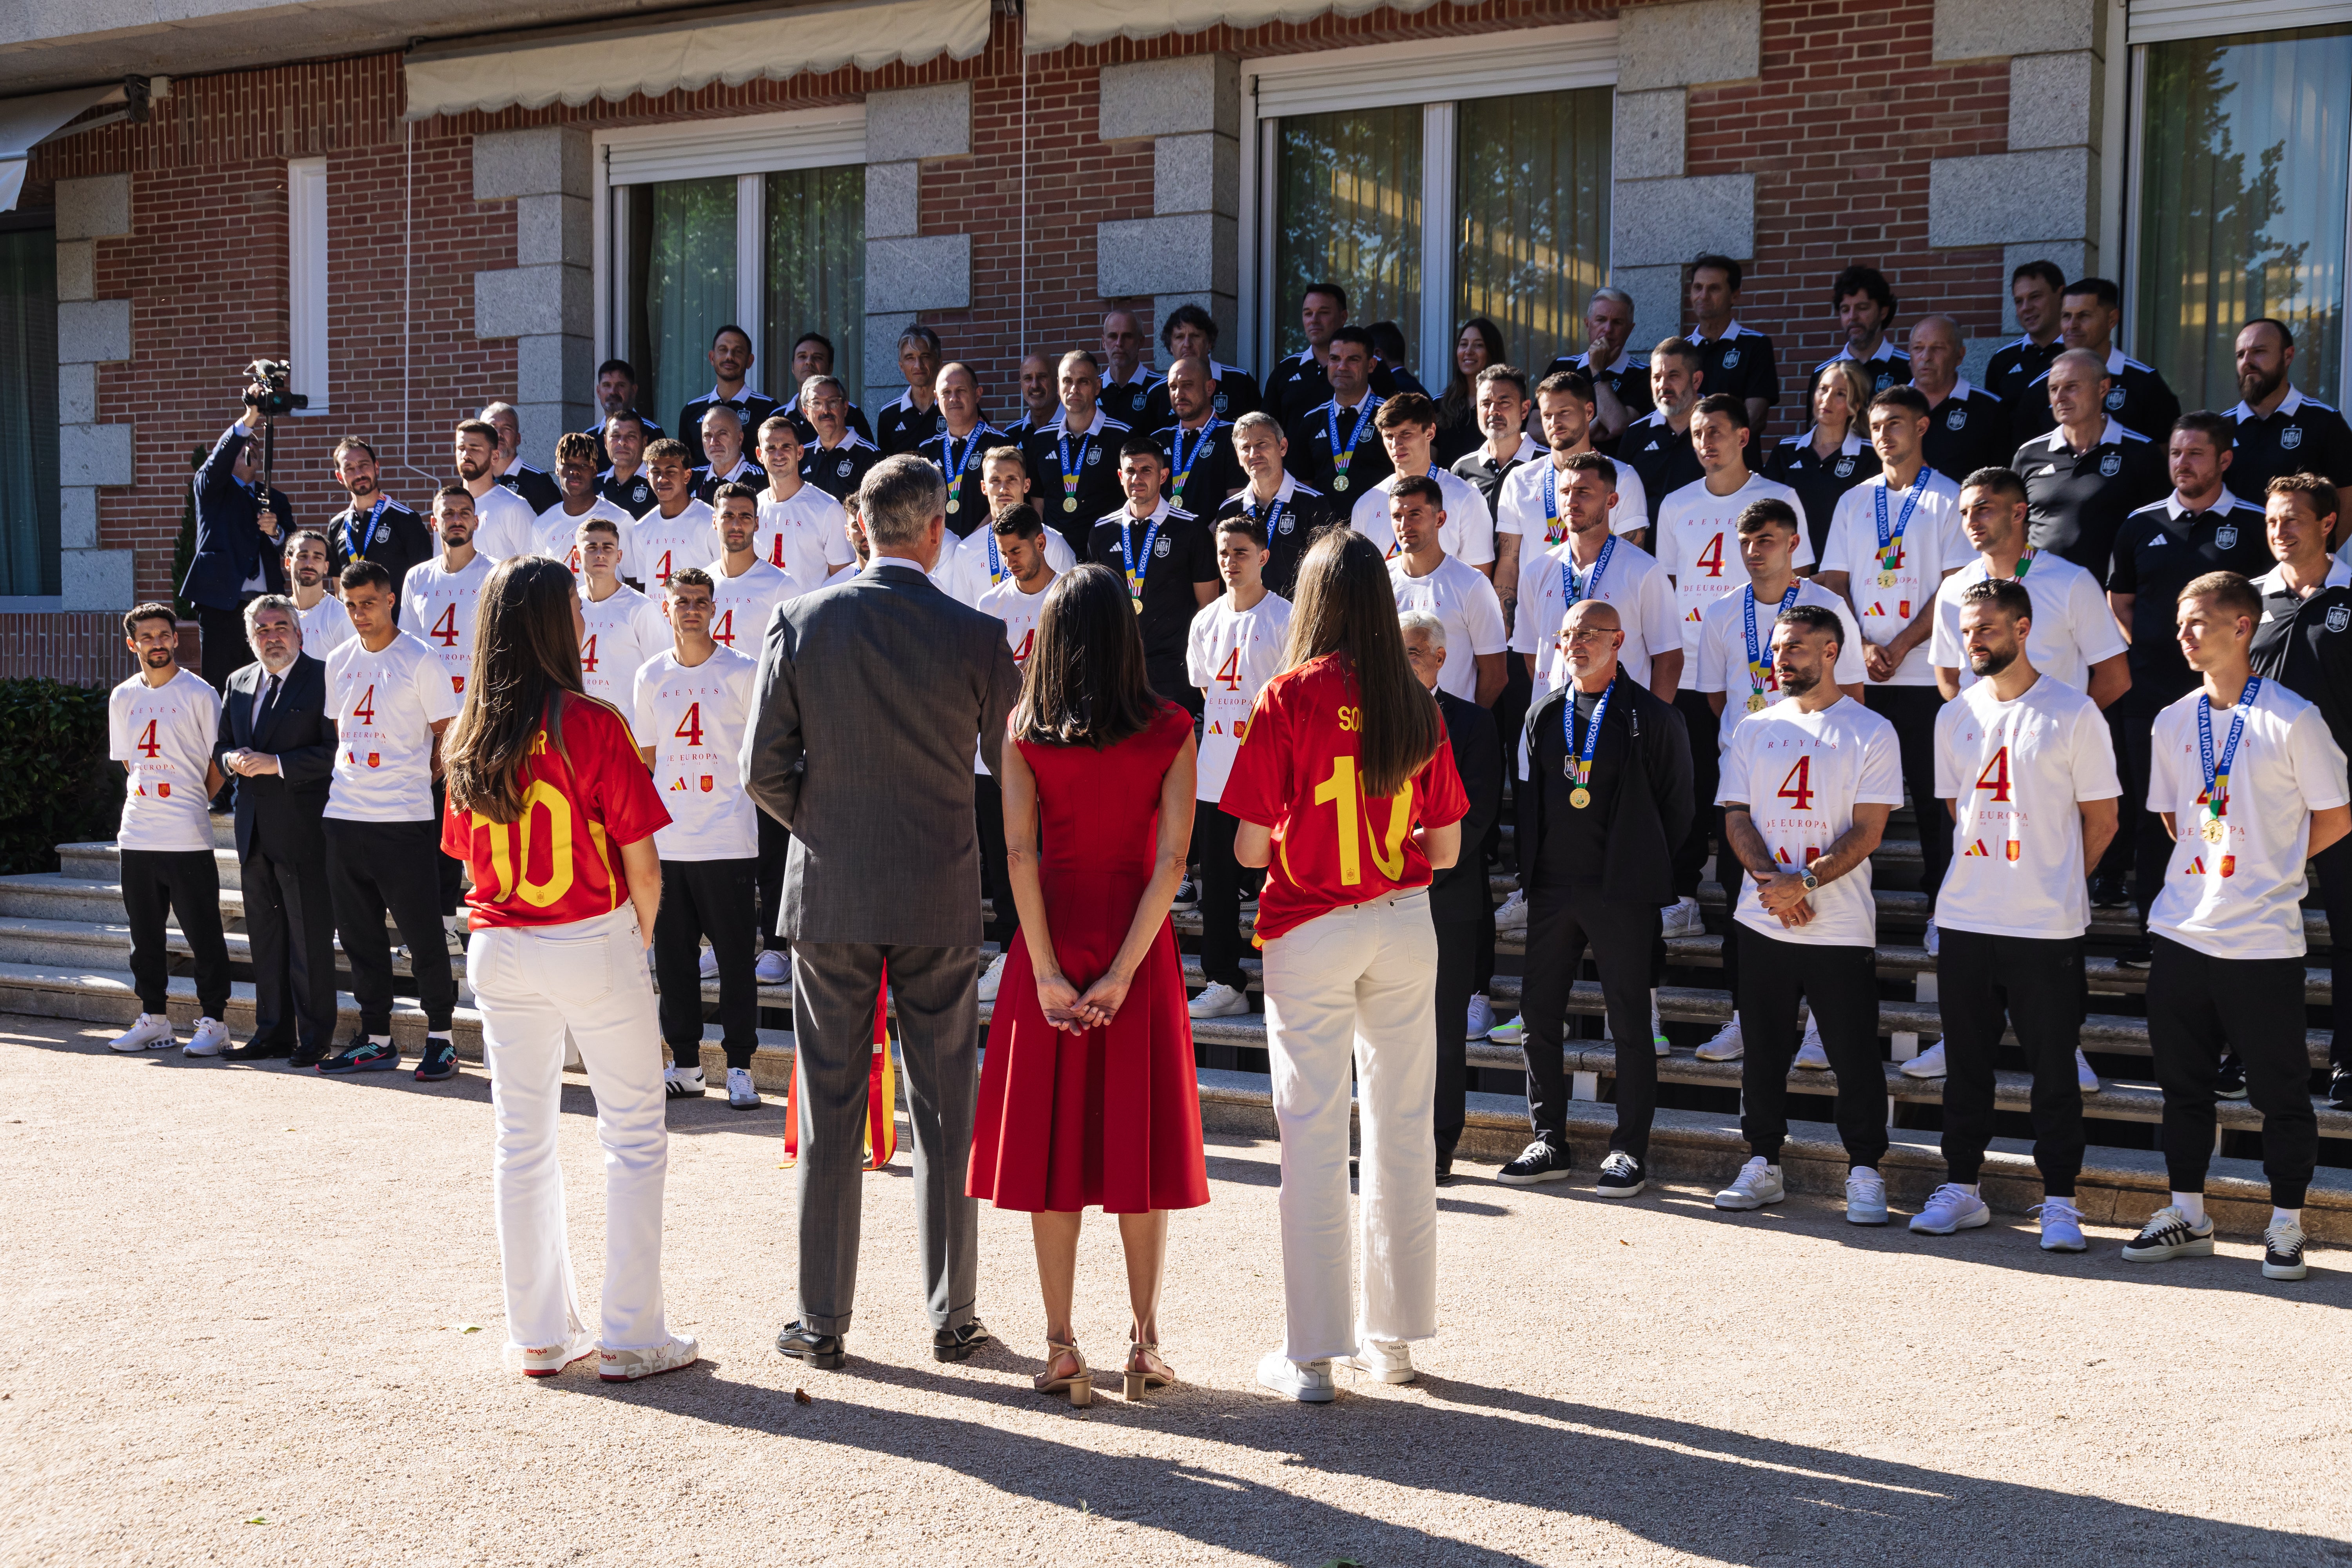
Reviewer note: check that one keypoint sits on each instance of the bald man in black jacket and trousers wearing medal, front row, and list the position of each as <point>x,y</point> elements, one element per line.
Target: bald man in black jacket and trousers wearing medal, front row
<point>1612,775</point>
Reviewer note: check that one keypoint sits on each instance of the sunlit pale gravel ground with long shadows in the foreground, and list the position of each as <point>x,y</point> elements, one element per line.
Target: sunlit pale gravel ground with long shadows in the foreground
<point>265,1329</point>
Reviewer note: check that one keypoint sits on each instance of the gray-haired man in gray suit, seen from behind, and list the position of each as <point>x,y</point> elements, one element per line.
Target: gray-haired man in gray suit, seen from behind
<point>871,702</point>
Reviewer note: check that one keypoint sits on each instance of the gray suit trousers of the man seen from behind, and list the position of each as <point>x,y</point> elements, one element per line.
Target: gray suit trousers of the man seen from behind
<point>836,989</point>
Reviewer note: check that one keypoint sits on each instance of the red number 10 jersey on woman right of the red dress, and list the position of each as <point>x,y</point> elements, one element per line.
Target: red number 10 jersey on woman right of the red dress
<point>1299,772</point>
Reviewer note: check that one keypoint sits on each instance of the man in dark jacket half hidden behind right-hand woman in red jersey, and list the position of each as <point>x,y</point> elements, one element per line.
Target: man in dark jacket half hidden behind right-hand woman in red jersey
<point>1459,902</point>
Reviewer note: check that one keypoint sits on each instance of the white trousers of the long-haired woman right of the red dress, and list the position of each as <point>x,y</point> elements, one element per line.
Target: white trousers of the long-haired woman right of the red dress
<point>1356,986</point>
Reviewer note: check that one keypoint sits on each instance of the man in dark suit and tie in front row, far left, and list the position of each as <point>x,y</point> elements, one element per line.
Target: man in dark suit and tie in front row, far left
<point>276,746</point>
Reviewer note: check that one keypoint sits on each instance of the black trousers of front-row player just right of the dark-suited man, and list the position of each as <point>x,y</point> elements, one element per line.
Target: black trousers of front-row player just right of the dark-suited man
<point>387,869</point>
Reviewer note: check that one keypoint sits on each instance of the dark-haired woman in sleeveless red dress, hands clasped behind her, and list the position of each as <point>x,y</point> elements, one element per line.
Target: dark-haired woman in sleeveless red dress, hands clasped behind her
<point>1088,1090</point>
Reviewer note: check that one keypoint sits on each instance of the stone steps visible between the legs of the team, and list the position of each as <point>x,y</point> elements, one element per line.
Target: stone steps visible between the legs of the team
<point>65,951</point>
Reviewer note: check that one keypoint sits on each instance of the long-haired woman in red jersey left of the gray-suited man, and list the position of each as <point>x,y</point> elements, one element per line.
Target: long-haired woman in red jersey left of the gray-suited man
<point>554,815</point>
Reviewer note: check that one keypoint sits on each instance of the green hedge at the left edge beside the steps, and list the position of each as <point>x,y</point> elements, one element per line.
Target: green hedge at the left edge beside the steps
<point>55,779</point>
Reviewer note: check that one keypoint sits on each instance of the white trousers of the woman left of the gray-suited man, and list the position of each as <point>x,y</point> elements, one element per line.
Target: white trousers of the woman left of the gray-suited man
<point>533,986</point>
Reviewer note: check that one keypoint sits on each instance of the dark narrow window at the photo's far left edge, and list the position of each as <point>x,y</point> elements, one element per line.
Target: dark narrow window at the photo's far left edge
<point>29,413</point>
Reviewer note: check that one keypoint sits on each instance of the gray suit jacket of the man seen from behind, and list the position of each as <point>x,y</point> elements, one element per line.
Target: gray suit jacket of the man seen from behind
<point>869,706</point>
